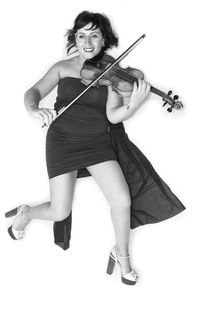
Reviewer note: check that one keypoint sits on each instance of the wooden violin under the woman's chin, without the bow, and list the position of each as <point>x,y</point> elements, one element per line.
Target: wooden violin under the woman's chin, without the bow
<point>121,80</point>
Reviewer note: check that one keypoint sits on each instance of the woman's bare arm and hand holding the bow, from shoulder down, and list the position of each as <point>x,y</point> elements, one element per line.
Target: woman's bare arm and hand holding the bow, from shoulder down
<point>39,90</point>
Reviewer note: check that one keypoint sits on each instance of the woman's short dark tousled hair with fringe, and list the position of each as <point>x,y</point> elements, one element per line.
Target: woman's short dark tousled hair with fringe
<point>98,21</point>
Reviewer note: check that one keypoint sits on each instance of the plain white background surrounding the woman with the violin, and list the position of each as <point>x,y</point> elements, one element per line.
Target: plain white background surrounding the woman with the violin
<point>36,275</point>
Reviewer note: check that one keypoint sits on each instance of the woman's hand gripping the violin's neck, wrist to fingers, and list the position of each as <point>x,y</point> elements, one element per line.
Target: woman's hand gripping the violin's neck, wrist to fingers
<point>139,94</point>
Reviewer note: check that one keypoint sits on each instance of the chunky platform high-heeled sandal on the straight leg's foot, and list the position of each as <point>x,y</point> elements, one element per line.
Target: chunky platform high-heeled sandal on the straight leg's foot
<point>130,278</point>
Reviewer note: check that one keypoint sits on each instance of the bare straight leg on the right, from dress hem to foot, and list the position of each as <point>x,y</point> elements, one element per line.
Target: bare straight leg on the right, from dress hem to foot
<point>112,182</point>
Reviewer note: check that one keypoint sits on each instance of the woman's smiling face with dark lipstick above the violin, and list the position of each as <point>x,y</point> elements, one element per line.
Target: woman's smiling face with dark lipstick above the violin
<point>89,41</point>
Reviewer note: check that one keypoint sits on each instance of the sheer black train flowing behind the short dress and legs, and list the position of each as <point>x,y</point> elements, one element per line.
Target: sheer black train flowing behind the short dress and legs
<point>152,200</point>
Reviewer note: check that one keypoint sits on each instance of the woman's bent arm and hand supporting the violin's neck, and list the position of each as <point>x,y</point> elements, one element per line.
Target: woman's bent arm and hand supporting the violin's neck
<point>119,109</point>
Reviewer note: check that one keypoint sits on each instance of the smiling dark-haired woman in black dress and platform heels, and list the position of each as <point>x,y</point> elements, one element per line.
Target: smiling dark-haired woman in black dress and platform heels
<point>79,143</point>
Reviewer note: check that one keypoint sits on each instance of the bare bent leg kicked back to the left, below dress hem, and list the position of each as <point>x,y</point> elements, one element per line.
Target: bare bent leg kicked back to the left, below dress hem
<point>61,194</point>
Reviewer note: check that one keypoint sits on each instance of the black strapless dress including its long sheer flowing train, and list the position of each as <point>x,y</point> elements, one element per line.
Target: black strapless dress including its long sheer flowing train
<point>83,136</point>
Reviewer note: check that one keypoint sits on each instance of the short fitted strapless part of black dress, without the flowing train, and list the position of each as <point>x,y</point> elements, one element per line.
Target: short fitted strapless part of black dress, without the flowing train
<point>80,136</point>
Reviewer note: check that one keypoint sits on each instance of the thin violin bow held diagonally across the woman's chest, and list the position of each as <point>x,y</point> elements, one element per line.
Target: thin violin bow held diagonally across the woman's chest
<point>95,80</point>
